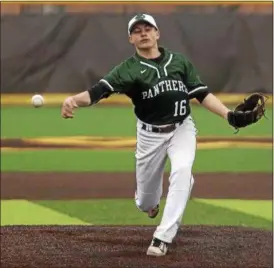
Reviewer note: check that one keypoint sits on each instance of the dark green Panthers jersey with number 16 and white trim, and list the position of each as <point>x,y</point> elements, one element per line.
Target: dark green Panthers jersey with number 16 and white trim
<point>160,91</point>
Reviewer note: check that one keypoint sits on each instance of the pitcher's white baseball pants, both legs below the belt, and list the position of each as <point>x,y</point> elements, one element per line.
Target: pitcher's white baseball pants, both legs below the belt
<point>151,154</point>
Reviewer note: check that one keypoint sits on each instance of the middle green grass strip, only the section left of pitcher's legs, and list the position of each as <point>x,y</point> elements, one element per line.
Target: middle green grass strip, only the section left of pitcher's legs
<point>67,160</point>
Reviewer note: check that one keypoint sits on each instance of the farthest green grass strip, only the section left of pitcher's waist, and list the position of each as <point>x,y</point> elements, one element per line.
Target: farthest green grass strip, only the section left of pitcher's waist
<point>92,121</point>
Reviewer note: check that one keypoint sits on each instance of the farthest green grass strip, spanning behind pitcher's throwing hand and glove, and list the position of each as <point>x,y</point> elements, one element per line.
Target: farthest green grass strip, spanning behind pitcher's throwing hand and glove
<point>19,122</point>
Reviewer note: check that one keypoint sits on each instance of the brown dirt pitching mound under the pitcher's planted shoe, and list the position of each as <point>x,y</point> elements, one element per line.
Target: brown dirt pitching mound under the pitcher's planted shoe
<point>87,246</point>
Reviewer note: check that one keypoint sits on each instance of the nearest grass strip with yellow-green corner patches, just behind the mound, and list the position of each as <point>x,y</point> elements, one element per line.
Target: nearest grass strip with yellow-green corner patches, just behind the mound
<point>123,212</point>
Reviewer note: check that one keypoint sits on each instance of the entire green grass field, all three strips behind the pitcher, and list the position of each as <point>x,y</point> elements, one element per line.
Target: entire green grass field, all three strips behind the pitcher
<point>18,122</point>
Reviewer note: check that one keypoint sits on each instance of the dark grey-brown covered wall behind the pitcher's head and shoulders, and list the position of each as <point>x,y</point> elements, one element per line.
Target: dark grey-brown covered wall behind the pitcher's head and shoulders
<point>64,51</point>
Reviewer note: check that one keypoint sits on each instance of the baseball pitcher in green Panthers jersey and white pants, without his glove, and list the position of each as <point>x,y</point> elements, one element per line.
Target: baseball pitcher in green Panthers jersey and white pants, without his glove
<point>160,84</point>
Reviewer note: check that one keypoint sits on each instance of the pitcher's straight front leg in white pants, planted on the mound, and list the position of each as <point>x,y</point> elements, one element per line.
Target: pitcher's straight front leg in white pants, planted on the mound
<point>181,152</point>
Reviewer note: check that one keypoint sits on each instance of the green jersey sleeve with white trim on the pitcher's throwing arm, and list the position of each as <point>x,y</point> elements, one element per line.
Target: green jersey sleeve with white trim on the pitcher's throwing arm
<point>119,79</point>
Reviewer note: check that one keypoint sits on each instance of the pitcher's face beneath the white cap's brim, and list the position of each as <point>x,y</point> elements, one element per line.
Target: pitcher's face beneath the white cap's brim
<point>144,36</point>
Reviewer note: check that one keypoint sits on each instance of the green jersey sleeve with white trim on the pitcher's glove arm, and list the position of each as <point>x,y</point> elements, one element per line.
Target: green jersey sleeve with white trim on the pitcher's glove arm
<point>192,81</point>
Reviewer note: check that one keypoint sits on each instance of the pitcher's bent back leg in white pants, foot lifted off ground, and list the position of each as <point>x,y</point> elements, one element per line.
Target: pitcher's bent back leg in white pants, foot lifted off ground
<point>150,162</point>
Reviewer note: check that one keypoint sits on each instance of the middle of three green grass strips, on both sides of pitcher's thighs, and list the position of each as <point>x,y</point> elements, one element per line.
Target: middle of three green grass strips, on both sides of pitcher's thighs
<point>215,160</point>
